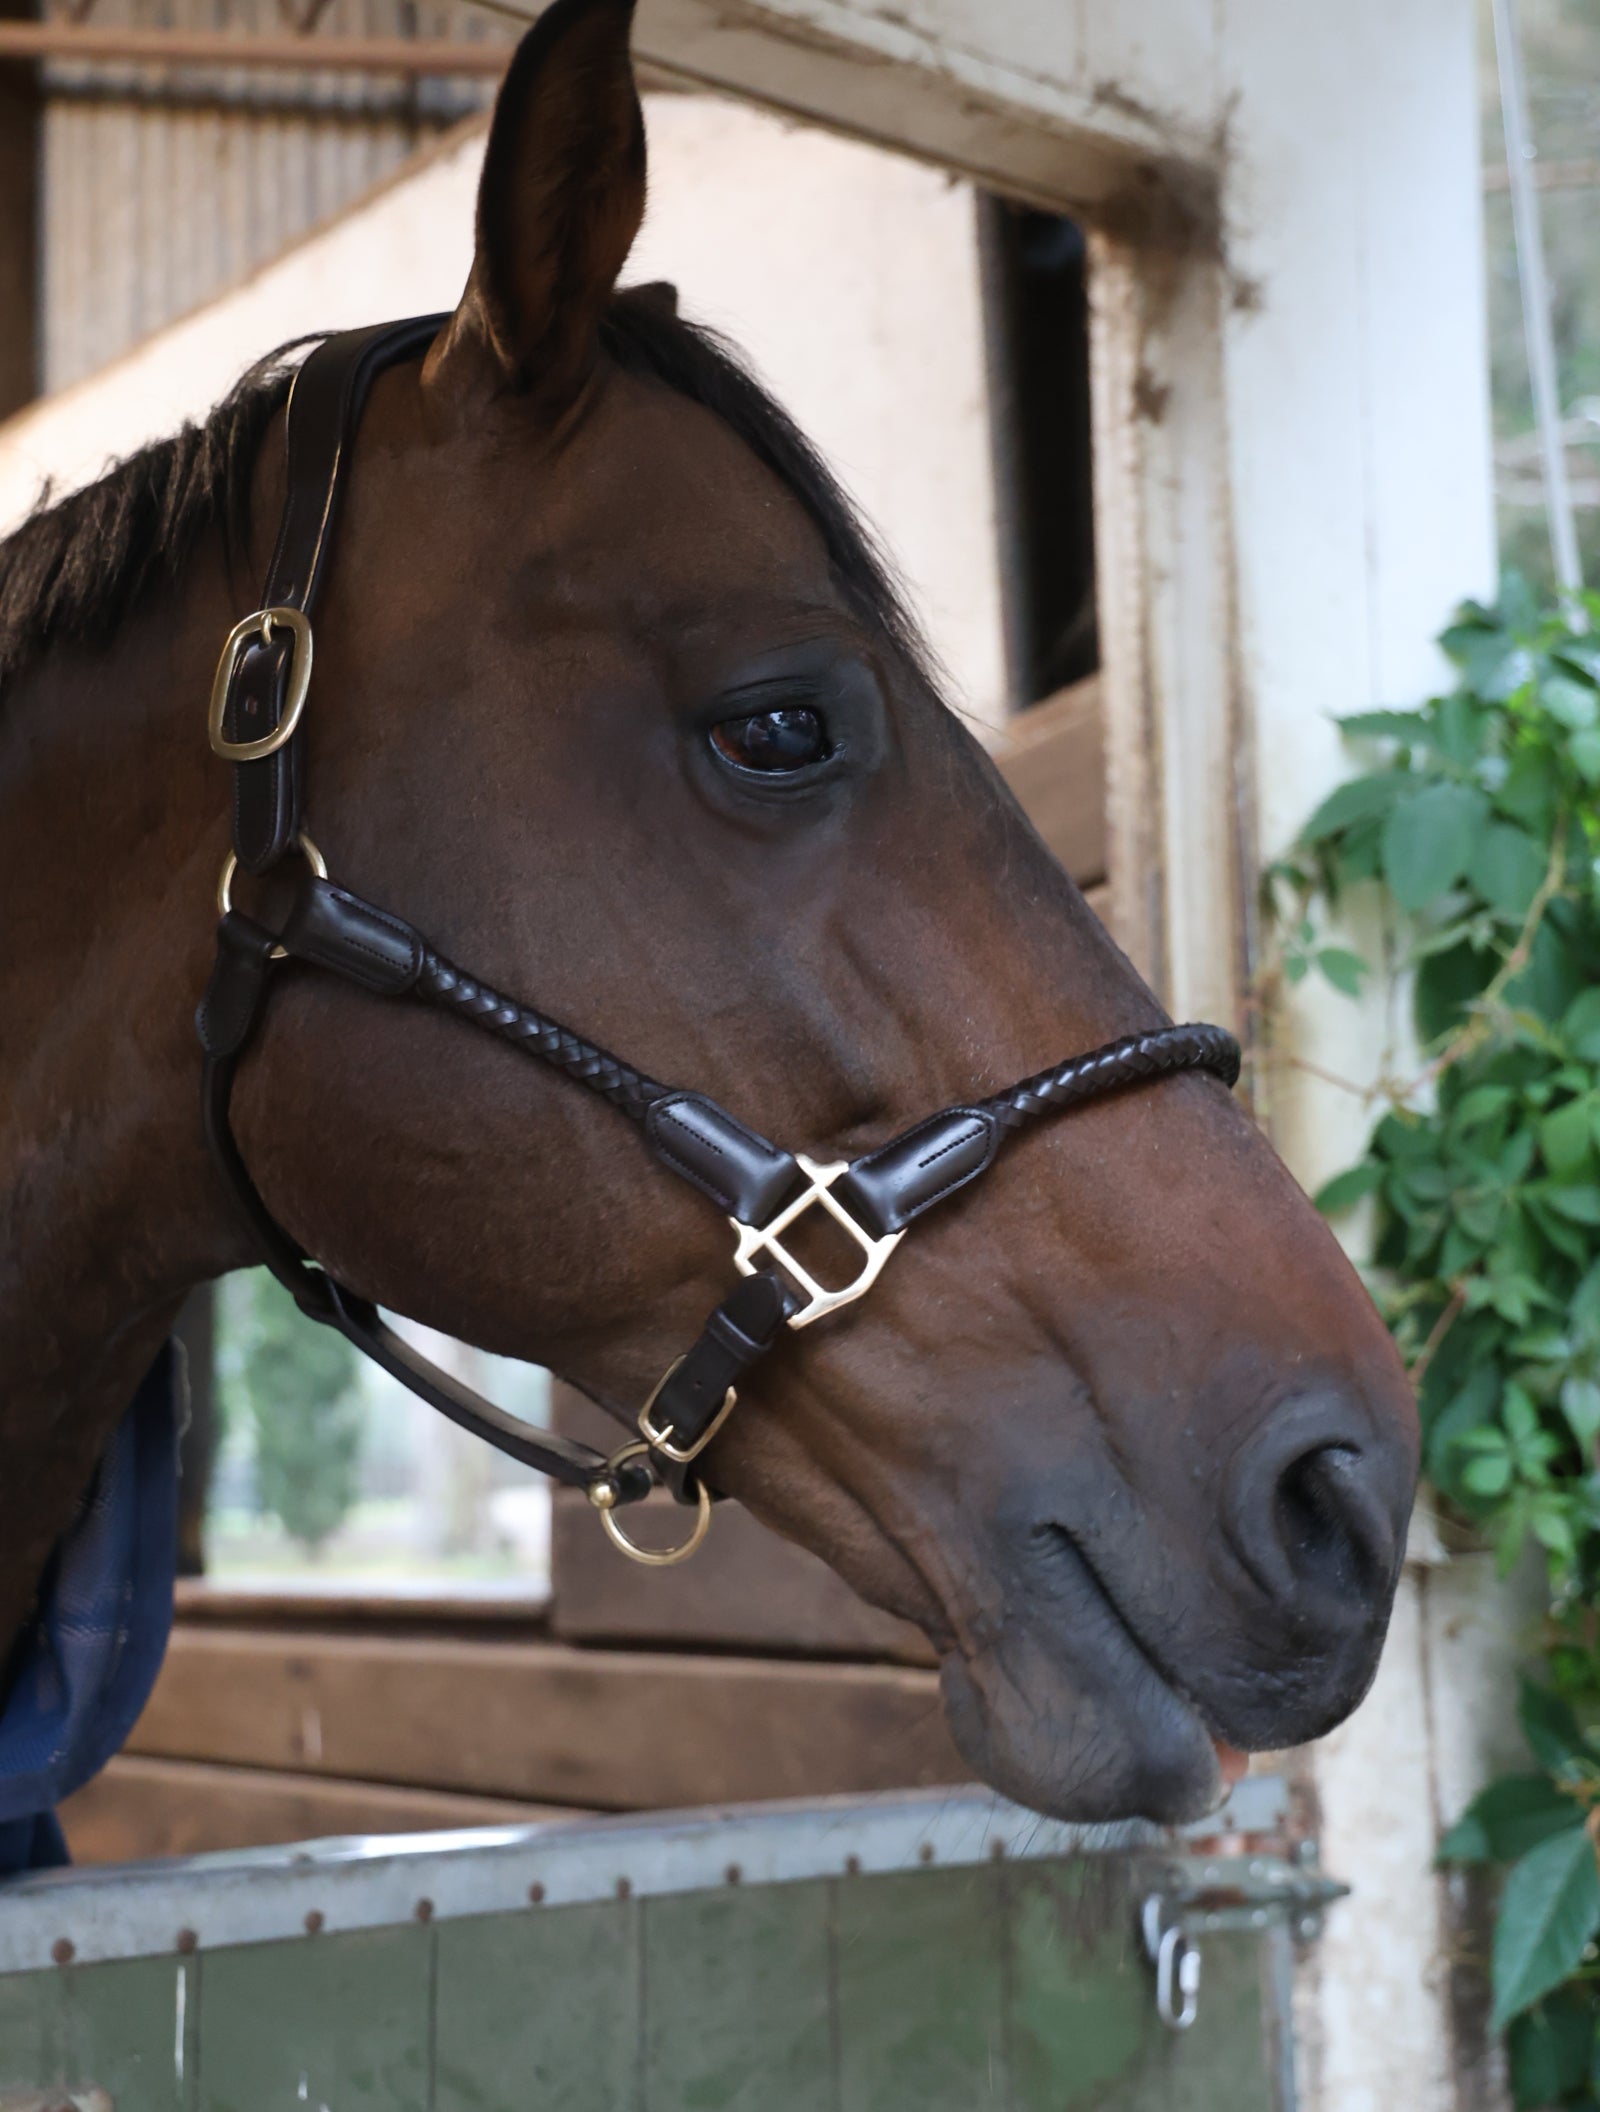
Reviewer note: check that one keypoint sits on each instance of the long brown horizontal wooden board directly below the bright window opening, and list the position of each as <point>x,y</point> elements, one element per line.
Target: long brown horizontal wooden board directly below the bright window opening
<point>539,1720</point>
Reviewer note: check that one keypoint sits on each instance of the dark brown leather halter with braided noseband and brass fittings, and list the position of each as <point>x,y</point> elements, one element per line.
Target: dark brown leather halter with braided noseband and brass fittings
<point>256,715</point>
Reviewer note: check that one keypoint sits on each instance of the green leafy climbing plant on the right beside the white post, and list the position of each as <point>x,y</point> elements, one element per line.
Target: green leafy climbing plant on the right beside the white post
<point>1477,835</point>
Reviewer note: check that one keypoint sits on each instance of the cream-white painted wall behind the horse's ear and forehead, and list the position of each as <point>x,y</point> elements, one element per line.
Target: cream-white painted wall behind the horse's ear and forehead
<point>847,276</point>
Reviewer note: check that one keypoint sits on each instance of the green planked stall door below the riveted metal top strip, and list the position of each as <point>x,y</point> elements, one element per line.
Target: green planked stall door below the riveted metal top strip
<point>1004,1988</point>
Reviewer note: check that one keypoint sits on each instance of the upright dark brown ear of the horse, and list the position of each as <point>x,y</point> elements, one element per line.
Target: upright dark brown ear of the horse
<point>558,204</point>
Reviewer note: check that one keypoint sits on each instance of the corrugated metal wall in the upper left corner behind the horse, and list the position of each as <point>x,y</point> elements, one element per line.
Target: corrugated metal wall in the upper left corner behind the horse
<point>168,185</point>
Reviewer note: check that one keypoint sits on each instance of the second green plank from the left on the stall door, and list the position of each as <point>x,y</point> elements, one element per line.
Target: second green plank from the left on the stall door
<point>339,2022</point>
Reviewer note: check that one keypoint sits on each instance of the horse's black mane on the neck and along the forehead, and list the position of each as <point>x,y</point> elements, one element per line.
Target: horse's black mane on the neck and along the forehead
<point>79,569</point>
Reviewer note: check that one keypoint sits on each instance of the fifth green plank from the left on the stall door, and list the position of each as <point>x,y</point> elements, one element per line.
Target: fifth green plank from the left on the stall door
<point>921,1993</point>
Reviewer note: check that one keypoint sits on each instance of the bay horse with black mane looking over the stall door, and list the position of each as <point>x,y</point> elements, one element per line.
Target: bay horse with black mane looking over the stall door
<point>617,700</point>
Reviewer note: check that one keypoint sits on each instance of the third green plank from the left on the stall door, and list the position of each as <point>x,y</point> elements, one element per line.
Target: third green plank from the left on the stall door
<point>539,2012</point>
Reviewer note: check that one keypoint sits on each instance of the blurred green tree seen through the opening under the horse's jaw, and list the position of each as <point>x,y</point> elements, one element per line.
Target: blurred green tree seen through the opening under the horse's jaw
<point>297,1389</point>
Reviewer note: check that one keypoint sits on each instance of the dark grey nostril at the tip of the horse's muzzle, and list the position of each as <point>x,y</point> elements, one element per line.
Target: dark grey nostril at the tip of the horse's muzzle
<point>1314,1511</point>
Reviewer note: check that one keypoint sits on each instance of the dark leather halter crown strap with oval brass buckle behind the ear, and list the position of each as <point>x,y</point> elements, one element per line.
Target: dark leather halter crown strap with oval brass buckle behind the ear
<point>324,411</point>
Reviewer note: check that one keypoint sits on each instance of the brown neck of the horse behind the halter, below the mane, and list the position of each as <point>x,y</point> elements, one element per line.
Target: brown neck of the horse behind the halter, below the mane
<point>111,829</point>
